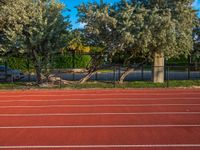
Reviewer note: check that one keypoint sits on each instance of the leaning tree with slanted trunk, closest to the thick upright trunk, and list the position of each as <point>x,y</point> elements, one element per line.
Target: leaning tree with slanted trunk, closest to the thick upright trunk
<point>133,29</point>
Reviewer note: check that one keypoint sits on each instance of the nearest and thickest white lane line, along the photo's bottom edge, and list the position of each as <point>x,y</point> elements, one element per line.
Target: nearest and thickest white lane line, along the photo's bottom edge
<point>103,146</point>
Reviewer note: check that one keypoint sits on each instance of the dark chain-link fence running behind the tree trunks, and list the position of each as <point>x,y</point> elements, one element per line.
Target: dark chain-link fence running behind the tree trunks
<point>110,73</point>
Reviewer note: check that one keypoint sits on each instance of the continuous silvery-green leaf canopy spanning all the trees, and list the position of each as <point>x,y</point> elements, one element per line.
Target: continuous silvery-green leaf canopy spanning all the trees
<point>132,29</point>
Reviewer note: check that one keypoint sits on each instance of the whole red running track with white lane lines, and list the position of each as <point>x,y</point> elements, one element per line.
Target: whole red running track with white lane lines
<point>146,119</point>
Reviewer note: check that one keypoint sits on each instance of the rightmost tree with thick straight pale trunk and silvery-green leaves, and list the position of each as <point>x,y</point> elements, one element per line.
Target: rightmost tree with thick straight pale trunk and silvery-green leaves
<point>172,31</point>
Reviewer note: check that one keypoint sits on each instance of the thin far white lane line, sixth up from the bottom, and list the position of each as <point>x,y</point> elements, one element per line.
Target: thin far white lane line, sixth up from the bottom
<point>99,94</point>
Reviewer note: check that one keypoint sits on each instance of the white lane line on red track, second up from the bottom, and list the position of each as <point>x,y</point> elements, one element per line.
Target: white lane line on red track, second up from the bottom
<point>96,126</point>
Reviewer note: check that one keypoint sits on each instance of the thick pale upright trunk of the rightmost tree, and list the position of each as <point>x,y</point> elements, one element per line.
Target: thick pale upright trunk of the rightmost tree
<point>158,68</point>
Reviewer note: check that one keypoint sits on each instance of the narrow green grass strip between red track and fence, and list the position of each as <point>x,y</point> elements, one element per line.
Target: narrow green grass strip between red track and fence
<point>103,85</point>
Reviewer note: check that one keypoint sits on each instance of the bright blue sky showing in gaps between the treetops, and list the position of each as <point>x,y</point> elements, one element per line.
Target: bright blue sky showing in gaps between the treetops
<point>72,3</point>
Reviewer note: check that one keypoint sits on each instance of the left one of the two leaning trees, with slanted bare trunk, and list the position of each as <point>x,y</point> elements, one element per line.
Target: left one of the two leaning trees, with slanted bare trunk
<point>99,27</point>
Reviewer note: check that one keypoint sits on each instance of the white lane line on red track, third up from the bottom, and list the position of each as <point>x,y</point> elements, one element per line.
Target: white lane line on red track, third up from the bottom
<point>98,114</point>
